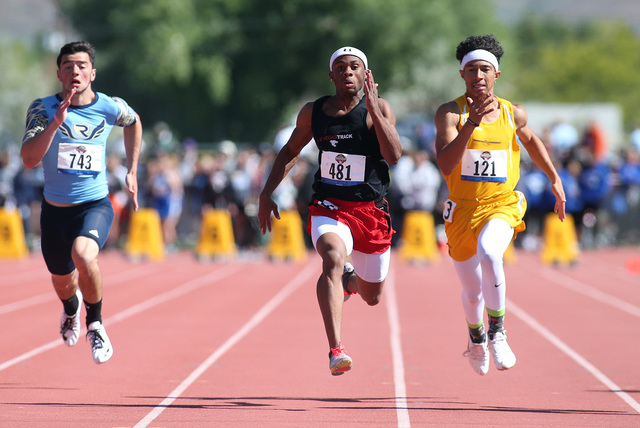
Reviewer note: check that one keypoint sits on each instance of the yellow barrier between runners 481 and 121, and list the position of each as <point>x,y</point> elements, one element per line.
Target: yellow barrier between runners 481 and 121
<point>418,242</point>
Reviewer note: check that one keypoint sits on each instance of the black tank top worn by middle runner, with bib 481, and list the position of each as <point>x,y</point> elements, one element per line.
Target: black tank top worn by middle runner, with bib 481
<point>351,167</point>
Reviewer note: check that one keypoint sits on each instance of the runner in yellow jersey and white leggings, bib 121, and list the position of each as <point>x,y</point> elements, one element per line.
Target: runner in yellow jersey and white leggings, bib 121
<point>479,156</point>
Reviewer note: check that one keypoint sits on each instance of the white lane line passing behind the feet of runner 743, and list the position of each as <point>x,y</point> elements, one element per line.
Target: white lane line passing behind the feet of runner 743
<point>147,304</point>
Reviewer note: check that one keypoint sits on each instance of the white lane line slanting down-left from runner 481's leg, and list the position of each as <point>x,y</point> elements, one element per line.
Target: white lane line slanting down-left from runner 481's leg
<point>259,316</point>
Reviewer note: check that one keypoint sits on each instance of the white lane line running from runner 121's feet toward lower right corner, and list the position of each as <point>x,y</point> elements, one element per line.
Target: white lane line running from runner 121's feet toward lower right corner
<point>544,332</point>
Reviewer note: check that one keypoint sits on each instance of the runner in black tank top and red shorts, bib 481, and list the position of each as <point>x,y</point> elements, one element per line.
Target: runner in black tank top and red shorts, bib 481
<point>357,140</point>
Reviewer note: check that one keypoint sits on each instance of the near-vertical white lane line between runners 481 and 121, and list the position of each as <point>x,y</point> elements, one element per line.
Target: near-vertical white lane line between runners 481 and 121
<point>402,410</point>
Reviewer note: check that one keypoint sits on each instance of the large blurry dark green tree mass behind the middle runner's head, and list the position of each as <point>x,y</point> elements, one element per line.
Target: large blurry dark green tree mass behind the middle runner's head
<point>216,69</point>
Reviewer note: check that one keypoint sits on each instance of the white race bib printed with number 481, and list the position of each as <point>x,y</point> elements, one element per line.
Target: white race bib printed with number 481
<point>342,169</point>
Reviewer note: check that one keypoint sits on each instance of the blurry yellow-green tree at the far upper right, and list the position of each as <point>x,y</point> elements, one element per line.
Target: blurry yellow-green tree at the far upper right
<point>593,62</point>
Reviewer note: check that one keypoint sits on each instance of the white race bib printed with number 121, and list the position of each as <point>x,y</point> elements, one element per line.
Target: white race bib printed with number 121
<point>484,165</point>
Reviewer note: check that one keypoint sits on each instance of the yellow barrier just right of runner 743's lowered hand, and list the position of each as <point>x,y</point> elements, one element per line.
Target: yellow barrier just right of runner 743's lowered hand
<point>145,235</point>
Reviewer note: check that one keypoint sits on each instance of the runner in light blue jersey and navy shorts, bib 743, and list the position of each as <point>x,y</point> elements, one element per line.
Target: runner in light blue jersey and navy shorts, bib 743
<point>68,133</point>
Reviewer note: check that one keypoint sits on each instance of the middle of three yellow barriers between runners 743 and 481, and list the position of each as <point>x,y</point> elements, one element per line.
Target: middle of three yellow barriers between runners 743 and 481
<point>216,235</point>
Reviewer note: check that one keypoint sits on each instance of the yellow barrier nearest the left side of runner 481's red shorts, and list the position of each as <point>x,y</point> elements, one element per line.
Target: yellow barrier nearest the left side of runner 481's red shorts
<point>287,241</point>
